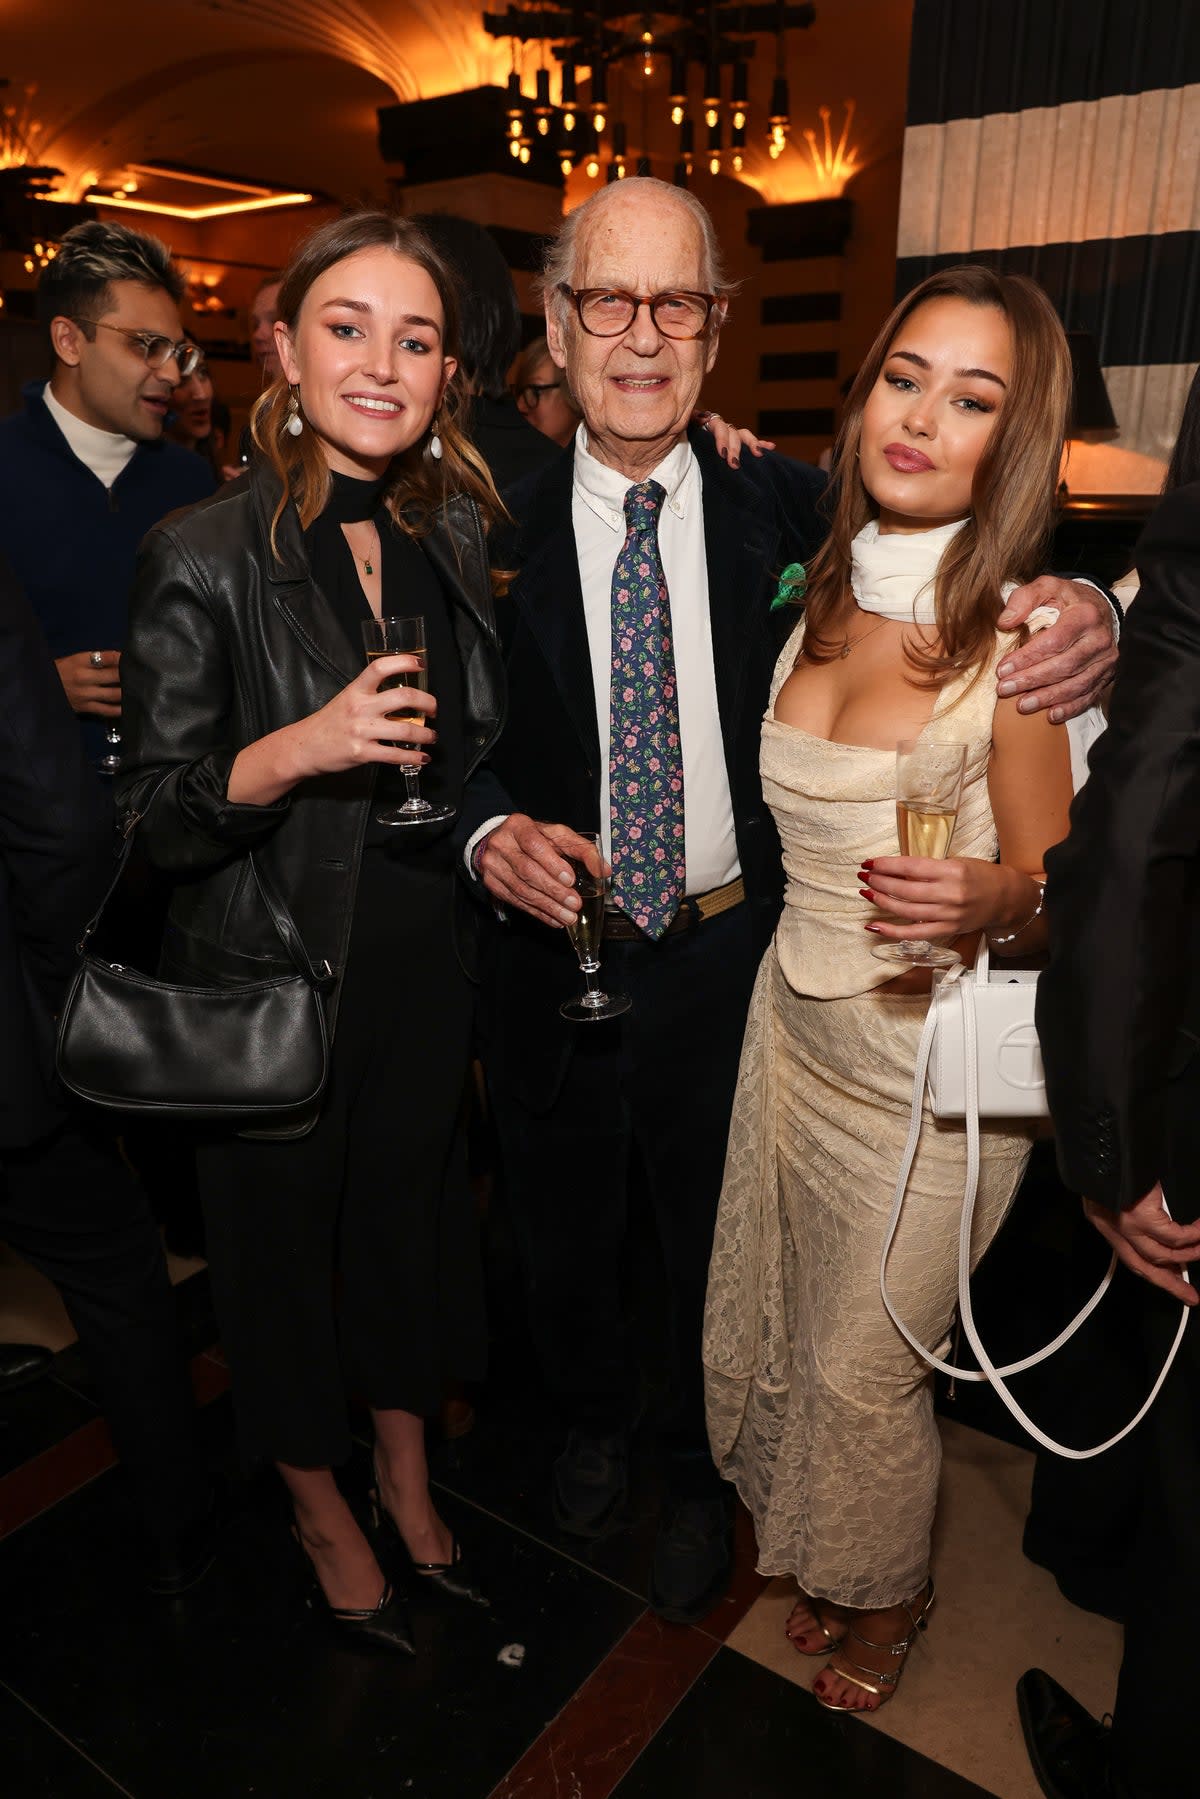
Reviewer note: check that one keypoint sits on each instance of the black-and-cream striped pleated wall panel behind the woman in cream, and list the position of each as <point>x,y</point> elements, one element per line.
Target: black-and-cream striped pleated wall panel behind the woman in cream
<point>1062,141</point>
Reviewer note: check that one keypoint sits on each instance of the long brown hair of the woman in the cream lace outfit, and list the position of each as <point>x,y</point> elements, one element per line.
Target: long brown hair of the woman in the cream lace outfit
<point>1012,494</point>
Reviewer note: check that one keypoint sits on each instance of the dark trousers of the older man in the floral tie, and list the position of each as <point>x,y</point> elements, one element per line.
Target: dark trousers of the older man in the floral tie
<point>656,1084</point>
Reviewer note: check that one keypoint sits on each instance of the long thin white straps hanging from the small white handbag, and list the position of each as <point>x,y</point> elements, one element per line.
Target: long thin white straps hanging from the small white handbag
<point>987,1368</point>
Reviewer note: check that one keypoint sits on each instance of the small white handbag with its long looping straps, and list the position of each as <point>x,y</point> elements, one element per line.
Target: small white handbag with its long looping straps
<point>978,1059</point>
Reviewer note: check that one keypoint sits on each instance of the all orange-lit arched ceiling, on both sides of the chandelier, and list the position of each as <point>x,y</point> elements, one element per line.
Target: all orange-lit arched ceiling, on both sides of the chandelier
<point>287,91</point>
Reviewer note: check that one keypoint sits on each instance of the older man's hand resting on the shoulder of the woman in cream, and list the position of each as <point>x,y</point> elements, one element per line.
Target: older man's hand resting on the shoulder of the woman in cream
<point>1066,668</point>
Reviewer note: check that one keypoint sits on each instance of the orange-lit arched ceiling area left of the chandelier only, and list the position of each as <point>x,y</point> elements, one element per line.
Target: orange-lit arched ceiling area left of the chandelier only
<point>229,84</point>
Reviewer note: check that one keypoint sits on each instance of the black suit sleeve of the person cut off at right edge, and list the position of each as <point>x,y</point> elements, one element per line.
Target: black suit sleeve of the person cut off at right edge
<point>1118,1001</point>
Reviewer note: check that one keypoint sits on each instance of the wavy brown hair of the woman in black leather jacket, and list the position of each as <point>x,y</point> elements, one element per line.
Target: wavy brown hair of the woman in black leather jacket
<point>420,481</point>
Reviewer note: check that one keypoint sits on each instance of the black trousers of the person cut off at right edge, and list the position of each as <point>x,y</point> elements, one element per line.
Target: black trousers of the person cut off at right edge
<point>1152,1730</point>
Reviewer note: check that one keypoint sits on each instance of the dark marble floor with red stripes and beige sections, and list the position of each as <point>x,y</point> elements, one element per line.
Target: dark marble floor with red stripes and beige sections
<point>569,1688</point>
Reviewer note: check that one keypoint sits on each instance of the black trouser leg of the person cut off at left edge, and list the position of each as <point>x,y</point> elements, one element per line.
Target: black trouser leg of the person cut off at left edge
<point>73,1210</point>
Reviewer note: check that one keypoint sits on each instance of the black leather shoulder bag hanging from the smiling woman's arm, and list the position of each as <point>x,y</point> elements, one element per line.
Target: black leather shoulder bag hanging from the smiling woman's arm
<point>138,1044</point>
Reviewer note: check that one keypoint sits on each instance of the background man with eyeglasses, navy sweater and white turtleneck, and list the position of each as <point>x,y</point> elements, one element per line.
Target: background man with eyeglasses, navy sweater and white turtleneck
<point>85,470</point>
